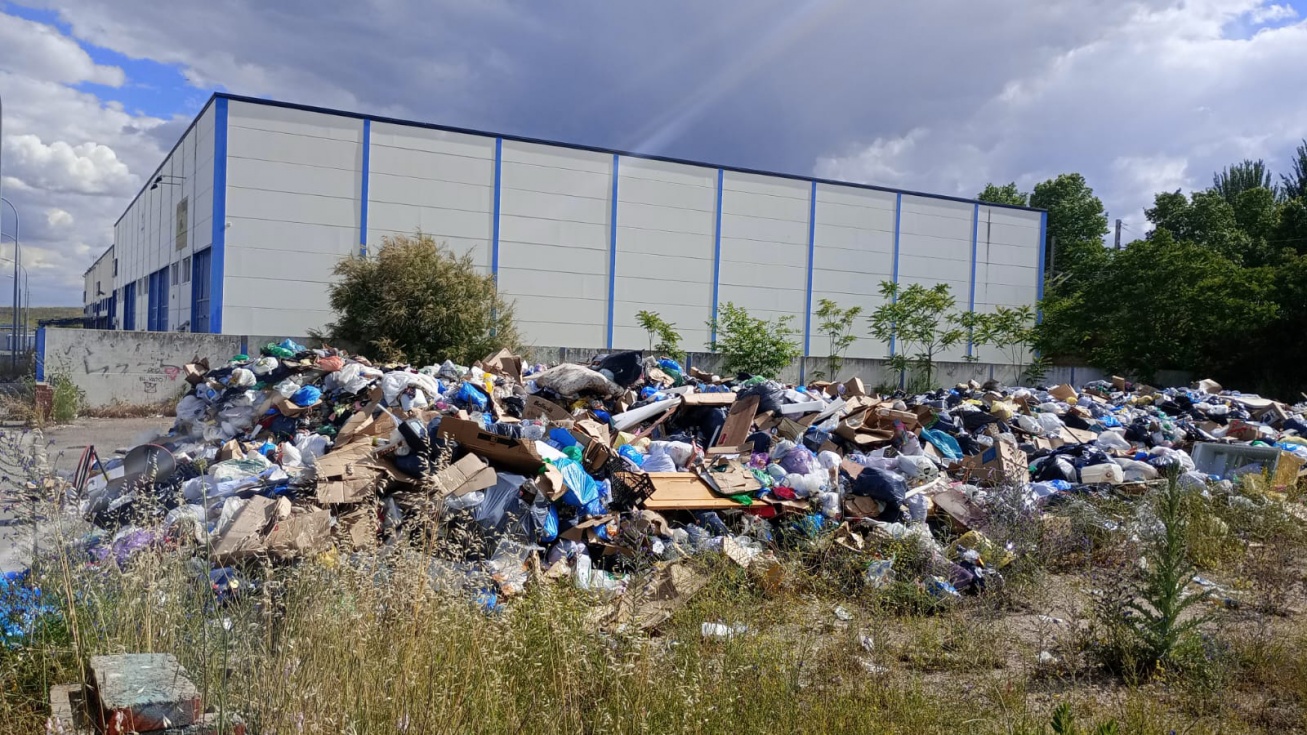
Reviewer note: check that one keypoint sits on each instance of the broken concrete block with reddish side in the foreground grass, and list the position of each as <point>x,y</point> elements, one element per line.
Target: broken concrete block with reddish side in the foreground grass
<point>143,694</point>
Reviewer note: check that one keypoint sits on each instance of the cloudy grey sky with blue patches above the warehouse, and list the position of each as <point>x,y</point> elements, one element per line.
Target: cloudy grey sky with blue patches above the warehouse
<point>931,95</point>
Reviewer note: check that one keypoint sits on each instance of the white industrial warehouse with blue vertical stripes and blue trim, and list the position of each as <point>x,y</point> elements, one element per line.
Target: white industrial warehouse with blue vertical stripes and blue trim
<point>242,224</point>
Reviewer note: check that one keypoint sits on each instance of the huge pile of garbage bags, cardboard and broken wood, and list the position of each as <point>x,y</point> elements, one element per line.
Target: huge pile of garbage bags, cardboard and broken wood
<point>510,471</point>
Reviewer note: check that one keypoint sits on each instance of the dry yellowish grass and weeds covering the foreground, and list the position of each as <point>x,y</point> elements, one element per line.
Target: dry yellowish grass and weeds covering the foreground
<point>365,644</point>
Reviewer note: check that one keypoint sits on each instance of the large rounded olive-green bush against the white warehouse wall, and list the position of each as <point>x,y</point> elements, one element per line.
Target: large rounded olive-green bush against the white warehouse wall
<point>419,301</point>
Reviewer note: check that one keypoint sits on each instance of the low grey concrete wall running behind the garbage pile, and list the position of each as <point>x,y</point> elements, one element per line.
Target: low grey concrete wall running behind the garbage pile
<point>147,367</point>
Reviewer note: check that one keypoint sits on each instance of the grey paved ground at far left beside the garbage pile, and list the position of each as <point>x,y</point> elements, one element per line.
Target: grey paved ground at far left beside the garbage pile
<point>27,456</point>
